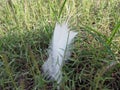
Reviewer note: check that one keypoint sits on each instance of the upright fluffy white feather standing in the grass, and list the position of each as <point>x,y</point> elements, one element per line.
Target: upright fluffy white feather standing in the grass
<point>59,52</point>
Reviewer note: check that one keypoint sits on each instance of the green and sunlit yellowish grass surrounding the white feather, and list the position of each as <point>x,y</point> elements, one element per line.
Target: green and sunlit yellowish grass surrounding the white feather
<point>26,28</point>
